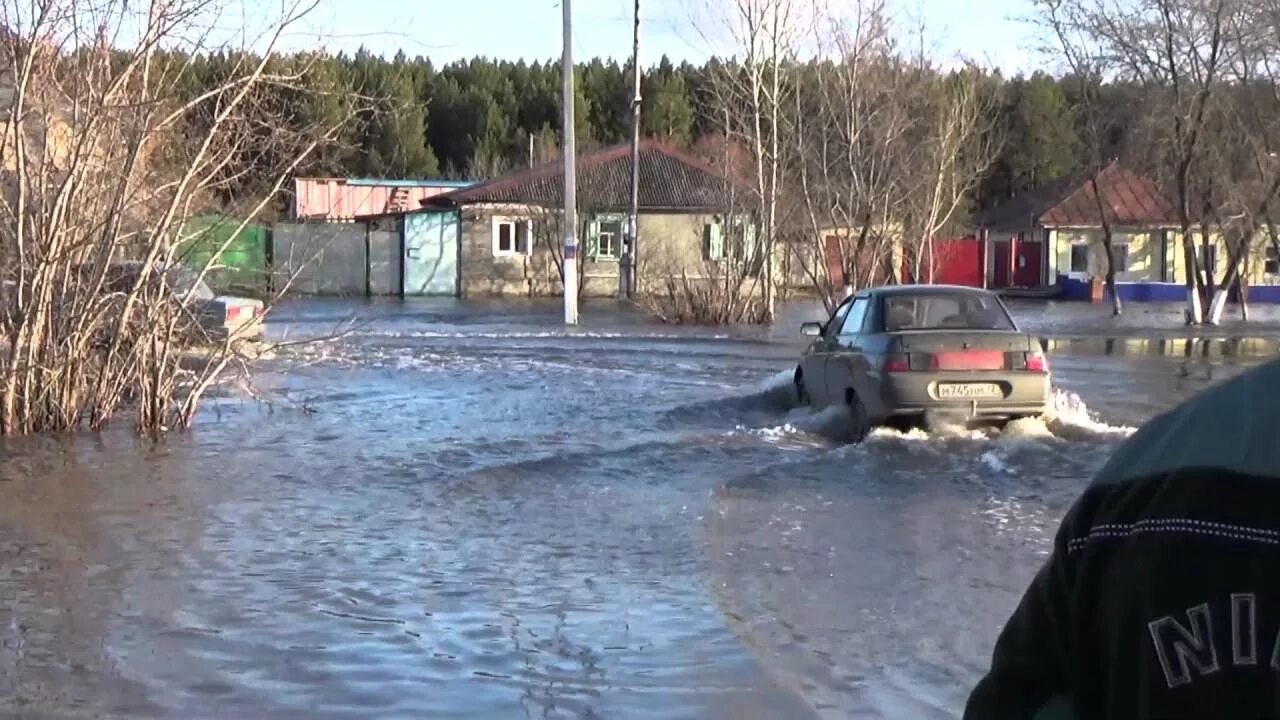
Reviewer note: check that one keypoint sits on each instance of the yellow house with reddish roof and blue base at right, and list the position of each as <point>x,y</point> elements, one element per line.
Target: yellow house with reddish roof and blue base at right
<point>1050,239</point>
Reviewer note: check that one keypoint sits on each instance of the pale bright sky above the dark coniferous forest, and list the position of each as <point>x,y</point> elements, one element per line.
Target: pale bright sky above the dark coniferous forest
<point>994,33</point>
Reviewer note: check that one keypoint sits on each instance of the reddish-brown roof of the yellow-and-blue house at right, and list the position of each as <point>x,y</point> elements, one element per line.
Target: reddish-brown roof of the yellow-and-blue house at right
<point>1128,198</point>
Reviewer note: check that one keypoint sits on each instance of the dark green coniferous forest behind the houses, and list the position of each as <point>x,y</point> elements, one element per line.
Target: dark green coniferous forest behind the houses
<point>478,119</point>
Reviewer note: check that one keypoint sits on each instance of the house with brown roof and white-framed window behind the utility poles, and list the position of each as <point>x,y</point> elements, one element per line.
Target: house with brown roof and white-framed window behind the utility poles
<point>508,239</point>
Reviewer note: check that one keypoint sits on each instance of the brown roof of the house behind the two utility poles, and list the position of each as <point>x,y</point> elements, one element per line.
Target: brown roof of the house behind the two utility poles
<point>669,181</point>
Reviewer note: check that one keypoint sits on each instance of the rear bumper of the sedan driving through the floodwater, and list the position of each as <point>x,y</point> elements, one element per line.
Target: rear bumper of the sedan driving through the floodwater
<point>913,394</point>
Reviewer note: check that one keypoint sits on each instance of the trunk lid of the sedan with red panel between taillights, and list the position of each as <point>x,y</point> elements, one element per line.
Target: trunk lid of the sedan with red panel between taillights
<point>963,350</point>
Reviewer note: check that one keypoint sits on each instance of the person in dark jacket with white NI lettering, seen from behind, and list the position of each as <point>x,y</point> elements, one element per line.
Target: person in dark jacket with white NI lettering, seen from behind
<point>1162,598</point>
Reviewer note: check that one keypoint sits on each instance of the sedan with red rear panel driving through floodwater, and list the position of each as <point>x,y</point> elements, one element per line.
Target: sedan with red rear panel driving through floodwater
<point>894,354</point>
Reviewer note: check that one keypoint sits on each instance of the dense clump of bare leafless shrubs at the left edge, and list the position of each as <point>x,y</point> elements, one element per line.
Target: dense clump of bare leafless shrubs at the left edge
<point>106,158</point>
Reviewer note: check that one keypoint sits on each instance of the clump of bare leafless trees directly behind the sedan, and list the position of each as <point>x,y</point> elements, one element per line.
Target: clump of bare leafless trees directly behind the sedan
<point>886,151</point>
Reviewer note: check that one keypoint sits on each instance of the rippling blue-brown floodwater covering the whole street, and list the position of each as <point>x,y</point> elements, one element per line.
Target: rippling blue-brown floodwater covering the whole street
<point>472,512</point>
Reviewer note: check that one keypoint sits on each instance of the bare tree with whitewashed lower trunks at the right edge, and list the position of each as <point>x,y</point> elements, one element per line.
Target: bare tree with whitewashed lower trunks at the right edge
<point>1208,74</point>
